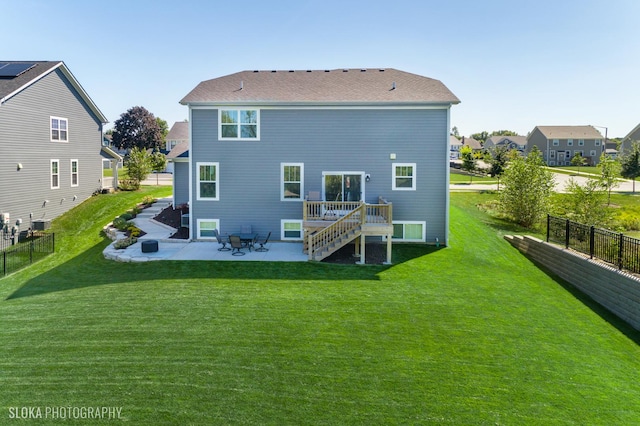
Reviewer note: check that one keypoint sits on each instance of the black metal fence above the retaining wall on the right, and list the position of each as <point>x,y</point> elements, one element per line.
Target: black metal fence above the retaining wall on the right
<point>612,247</point>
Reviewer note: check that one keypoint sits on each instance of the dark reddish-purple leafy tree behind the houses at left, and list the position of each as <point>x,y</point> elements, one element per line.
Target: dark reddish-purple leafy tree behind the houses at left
<point>137,128</point>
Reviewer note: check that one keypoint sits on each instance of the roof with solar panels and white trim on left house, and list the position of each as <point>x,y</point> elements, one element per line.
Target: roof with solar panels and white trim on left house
<point>12,85</point>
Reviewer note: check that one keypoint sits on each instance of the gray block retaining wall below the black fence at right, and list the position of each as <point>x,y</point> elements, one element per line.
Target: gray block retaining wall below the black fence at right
<point>616,290</point>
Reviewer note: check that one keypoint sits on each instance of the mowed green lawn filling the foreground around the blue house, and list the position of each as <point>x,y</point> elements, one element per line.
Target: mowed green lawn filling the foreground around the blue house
<point>469,334</point>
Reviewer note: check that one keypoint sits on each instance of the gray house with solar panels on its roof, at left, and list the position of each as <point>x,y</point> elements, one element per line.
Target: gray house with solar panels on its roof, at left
<point>50,143</point>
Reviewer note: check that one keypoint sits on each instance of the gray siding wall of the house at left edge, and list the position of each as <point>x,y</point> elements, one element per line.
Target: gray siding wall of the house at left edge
<point>25,139</point>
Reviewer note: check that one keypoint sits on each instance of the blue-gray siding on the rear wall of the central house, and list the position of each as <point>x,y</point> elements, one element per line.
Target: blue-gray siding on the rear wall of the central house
<point>324,140</point>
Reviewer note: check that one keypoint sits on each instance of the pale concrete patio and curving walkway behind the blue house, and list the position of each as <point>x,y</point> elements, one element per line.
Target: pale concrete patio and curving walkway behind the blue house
<point>176,249</point>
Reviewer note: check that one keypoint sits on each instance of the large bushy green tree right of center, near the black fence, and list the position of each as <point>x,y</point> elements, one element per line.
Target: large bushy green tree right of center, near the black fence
<point>527,188</point>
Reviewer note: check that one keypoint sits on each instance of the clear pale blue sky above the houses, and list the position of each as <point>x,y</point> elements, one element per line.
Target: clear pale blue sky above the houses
<point>514,64</point>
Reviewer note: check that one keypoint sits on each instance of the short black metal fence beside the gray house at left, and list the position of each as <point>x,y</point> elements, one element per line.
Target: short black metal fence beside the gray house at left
<point>26,248</point>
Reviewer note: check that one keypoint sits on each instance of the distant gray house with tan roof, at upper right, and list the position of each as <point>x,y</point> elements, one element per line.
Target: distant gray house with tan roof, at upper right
<point>559,144</point>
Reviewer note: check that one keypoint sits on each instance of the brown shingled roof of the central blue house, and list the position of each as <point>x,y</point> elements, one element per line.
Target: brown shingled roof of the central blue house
<point>353,86</point>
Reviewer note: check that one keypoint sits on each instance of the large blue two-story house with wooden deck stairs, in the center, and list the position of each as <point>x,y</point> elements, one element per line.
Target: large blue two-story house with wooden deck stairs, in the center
<point>262,141</point>
